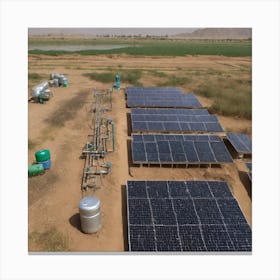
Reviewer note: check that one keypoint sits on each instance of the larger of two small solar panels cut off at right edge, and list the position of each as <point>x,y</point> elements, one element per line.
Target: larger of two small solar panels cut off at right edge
<point>241,142</point>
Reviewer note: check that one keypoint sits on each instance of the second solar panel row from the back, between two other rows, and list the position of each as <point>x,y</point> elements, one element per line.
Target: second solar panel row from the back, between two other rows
<point>174,120</point>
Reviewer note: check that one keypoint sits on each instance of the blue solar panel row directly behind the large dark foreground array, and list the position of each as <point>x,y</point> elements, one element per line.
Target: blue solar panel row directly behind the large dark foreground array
<point>178,149</point>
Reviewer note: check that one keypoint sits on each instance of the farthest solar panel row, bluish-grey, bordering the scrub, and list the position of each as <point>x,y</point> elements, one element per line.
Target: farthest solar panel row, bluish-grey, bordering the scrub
<point>160,97</point>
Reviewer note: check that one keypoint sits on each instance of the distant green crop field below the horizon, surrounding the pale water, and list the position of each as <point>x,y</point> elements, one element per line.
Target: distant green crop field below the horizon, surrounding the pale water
<point>161,47</point>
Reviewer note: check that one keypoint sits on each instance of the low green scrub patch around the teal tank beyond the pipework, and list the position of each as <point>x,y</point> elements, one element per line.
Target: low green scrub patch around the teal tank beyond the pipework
<point>130,76</point>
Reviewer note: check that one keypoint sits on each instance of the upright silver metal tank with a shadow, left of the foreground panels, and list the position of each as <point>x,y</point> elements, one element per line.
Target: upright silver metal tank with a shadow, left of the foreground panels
<point>90,214</point>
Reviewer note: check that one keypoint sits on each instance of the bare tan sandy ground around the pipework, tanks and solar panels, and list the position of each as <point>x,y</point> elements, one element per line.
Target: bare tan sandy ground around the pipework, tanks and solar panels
<point>54,197</point>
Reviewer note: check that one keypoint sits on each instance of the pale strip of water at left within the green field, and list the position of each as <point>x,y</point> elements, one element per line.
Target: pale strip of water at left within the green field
<point>73,48</point>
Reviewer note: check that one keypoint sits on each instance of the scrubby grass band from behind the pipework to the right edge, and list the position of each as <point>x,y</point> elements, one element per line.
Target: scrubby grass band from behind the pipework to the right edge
<point>230,94</point>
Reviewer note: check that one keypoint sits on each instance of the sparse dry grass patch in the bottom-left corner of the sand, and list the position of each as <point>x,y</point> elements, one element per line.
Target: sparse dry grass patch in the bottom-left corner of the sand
<point>51,240</point>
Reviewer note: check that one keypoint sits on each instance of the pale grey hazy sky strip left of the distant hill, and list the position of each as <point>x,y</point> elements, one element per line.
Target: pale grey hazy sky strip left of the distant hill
<point>110,31</point>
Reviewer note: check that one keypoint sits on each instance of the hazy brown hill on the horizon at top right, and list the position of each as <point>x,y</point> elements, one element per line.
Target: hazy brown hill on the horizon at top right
<point>218,33</point>
